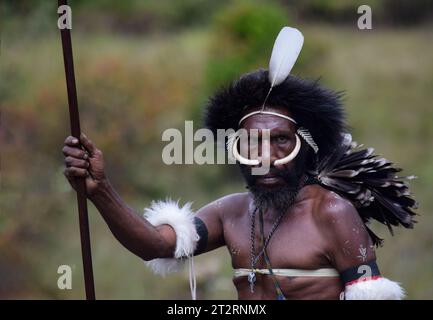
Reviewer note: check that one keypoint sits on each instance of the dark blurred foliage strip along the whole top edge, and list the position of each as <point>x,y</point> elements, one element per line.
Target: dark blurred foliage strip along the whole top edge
<point>136,16</point>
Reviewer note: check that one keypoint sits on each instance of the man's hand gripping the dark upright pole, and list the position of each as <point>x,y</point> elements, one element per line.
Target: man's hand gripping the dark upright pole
<point>83,161</point>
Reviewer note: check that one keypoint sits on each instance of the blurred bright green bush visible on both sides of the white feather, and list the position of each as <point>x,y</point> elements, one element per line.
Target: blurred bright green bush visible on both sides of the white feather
<point>243,38</point>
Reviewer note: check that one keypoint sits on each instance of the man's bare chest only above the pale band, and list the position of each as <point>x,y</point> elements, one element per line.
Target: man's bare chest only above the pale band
<point>296,242</point>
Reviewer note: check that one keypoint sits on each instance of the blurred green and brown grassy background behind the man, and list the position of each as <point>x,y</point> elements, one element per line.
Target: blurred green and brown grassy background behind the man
<point>144,66</point>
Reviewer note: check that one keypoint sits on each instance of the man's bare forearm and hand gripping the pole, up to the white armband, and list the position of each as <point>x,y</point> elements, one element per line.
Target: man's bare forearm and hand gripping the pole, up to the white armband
<point>132,231</point>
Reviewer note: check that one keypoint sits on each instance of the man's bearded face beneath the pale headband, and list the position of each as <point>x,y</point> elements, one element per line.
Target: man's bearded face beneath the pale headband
<point>281,182</point>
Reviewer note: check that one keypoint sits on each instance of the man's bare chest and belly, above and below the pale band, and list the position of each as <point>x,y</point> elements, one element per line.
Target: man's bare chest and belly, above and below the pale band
<point>296,244</point>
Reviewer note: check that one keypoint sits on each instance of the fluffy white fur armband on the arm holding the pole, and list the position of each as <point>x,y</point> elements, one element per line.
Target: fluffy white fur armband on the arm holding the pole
<point>182,221</point>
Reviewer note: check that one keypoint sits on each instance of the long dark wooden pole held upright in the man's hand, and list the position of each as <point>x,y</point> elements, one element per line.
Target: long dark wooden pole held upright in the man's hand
<point>81,185</point>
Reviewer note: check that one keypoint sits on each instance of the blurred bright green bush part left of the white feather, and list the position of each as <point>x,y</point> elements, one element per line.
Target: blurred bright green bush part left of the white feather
<point>243,37</point>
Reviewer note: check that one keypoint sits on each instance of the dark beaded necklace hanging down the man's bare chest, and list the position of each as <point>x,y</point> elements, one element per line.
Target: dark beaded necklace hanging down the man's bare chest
<point>255,258</point>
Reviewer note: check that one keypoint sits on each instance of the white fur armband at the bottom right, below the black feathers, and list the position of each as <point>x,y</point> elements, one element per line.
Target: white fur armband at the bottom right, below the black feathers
<point>374,289</point>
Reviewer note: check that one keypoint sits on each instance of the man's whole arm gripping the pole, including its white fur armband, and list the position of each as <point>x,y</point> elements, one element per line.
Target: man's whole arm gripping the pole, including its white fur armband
<point>168,230</point>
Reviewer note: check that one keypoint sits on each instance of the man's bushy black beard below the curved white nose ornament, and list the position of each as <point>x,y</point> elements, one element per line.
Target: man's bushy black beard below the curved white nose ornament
<point>279,198</point>
